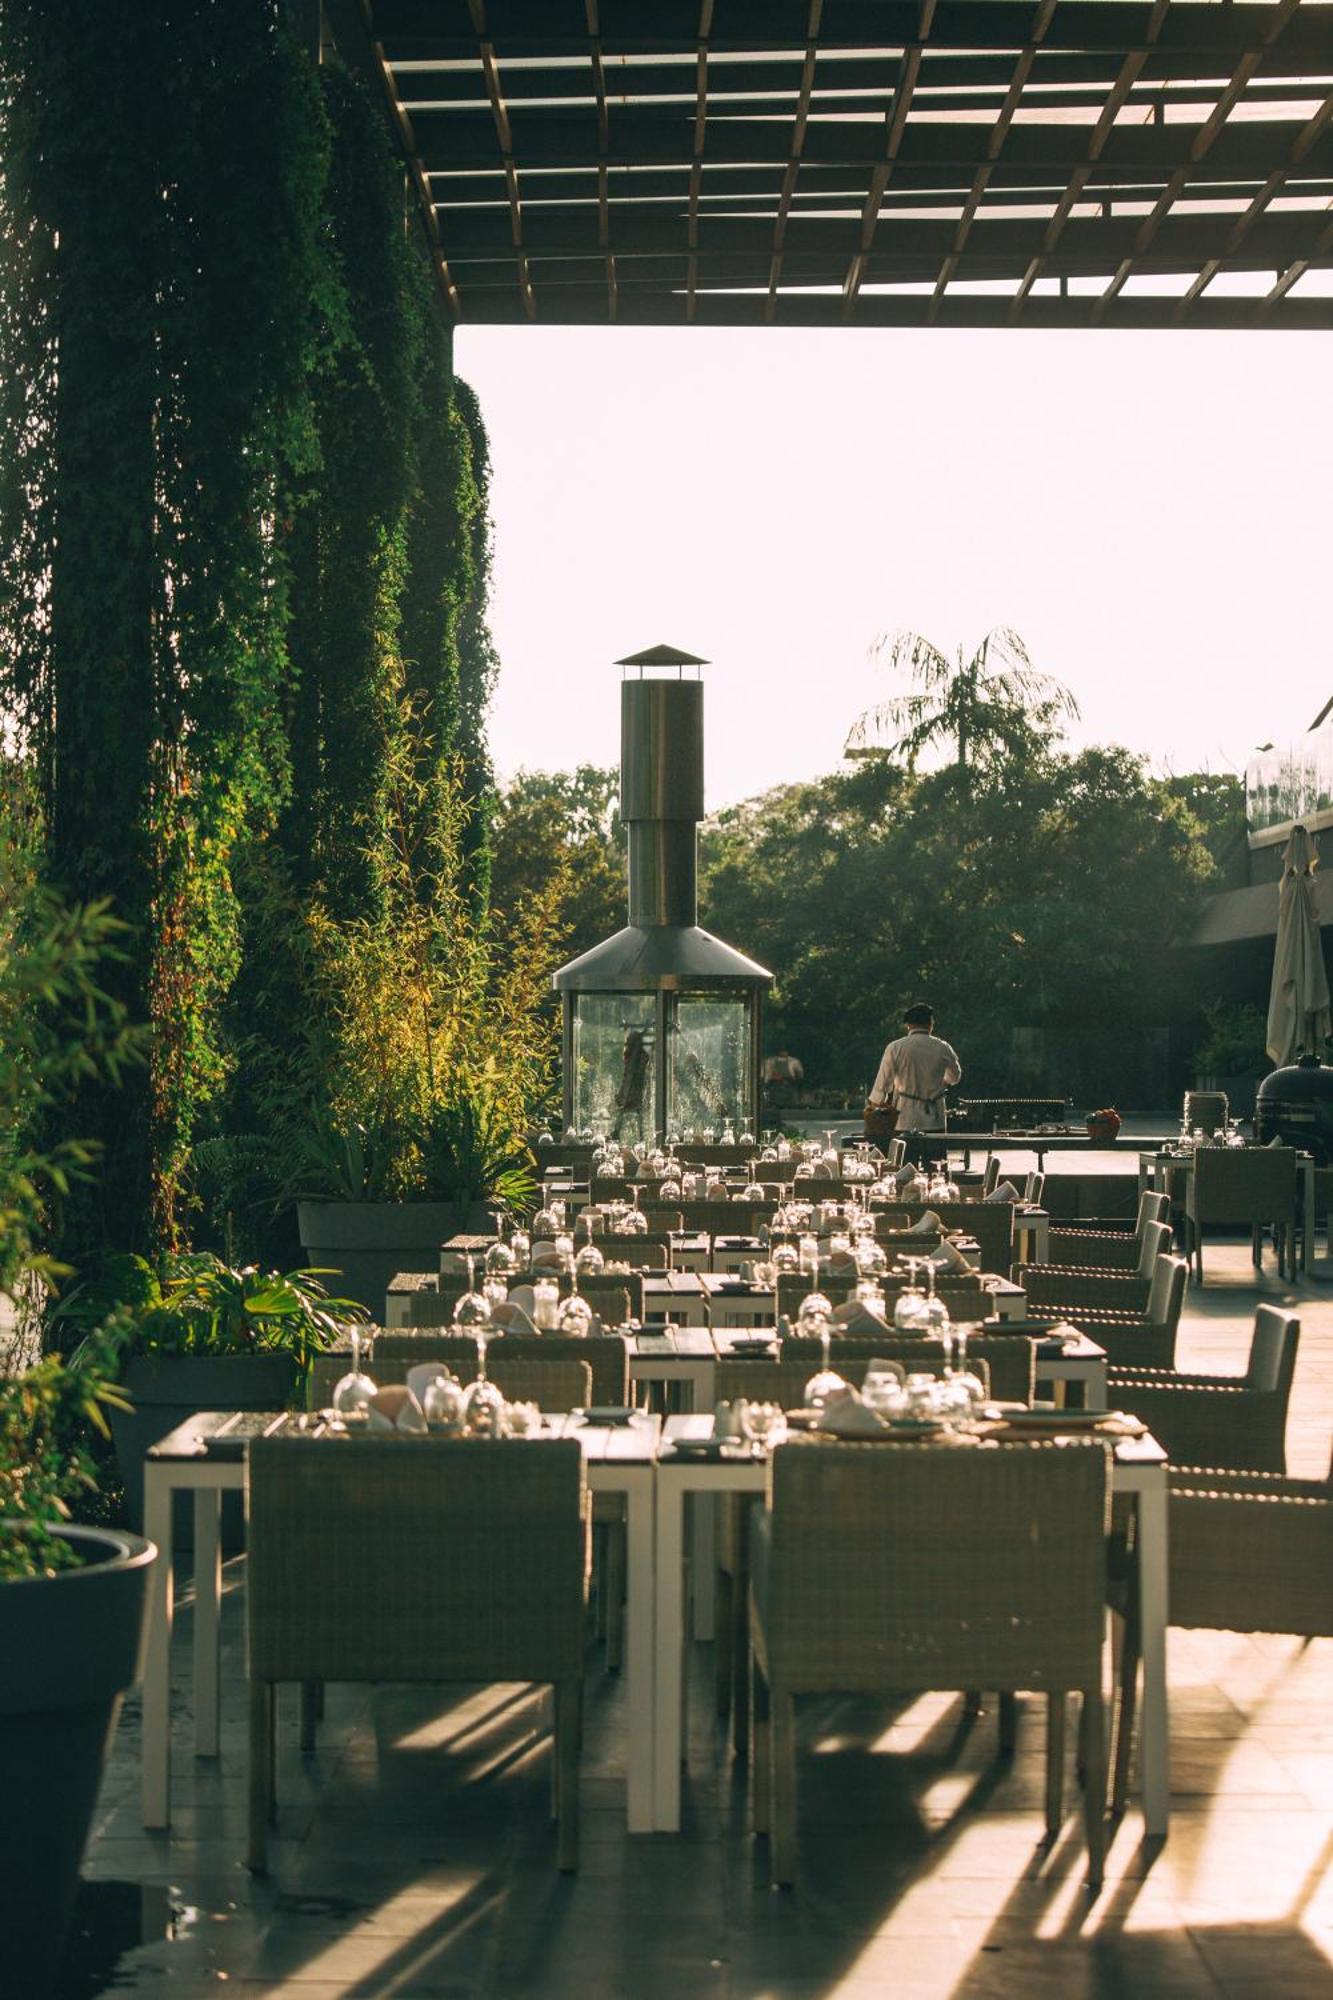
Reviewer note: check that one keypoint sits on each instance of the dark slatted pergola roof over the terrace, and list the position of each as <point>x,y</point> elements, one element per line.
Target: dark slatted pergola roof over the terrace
<point>870,163</point>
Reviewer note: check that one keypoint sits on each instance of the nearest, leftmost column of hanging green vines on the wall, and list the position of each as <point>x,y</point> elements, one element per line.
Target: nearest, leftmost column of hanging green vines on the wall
<point>147,637</point>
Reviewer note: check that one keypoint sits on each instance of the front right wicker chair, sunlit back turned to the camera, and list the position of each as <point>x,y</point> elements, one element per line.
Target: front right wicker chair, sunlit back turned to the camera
<point>864,1585</point>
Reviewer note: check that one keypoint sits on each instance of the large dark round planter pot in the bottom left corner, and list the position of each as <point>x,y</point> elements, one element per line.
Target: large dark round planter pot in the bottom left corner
<point>69,1649</point>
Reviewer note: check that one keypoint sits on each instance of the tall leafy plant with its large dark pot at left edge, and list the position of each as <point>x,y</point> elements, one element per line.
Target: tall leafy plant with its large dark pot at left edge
<point>71,1599</point>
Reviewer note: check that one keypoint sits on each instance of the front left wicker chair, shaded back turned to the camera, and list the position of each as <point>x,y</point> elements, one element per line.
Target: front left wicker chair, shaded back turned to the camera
<point>417,1559</point>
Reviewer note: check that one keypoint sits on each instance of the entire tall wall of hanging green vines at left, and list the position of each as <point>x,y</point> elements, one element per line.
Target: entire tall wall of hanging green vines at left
<point>243,533</point>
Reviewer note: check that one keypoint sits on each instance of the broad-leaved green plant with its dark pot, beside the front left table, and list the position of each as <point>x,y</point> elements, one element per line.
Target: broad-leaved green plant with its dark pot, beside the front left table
<point>199,1335</point>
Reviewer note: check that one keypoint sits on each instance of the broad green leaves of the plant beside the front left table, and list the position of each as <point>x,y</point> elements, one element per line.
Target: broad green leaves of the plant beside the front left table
<point>197,1305</point>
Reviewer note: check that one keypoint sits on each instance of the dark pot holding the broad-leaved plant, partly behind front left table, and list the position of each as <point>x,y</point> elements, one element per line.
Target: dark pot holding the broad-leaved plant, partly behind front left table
<point>167,1389</point>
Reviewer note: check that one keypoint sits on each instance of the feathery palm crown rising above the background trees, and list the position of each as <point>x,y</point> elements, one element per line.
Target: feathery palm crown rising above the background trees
<point>988,709</point>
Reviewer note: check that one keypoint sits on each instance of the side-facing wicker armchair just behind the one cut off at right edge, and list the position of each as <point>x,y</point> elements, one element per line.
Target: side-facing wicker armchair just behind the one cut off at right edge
<point>1234,1423</point>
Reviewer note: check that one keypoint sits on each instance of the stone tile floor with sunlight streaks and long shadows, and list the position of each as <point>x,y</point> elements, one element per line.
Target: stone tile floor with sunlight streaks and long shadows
<point>415,1849</point>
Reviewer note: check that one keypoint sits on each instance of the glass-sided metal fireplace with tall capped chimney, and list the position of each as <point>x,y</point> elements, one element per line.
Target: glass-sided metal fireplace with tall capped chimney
<point>661,1021</point>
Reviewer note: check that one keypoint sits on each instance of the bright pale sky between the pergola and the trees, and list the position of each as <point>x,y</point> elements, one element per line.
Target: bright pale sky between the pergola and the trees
<point>1148,511</point>
